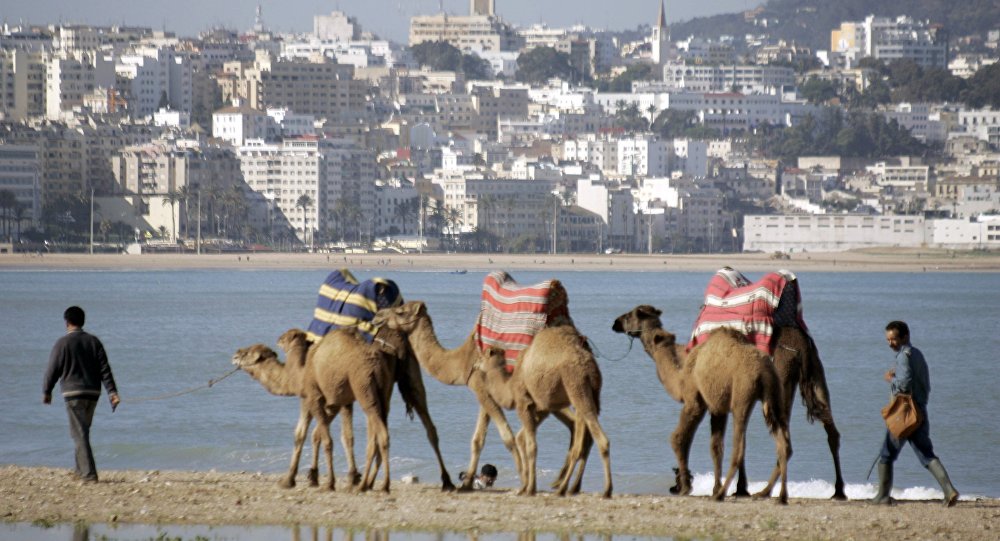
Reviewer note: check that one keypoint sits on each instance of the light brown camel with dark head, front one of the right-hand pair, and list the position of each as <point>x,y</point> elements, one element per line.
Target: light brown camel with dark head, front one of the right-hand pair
<point>723,375</point>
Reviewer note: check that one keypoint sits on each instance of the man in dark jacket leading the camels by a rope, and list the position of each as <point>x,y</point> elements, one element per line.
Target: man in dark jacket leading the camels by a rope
<point>79,363</point>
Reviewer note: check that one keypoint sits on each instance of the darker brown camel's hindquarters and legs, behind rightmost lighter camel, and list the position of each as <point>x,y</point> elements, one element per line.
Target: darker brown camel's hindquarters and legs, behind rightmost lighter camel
<point>797,362</point>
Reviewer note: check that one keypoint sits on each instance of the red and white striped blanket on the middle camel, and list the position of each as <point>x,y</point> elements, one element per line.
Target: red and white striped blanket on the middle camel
<point>511,314</point>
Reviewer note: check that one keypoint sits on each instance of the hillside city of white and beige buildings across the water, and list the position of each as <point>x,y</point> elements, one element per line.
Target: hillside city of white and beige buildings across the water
<point>479,135</point>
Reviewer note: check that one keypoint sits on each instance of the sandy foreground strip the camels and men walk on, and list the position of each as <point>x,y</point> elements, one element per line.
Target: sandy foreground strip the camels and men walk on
<point>49,495</point>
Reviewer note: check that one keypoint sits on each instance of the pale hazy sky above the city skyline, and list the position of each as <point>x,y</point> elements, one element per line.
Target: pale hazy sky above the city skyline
<point>390,19</point>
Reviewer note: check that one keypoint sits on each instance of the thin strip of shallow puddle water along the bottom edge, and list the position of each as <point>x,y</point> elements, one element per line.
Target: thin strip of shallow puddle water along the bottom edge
<point>144,532</point>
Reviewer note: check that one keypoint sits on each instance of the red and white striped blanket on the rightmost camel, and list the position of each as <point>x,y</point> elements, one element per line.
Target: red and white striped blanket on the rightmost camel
<point>753,309</point>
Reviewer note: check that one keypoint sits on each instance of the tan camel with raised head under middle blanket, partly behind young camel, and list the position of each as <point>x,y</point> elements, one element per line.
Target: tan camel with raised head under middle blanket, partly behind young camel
<point>457,367</point>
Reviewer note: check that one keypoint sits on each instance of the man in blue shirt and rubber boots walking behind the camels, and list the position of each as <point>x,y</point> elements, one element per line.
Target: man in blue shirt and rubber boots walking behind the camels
<point>910,376</point>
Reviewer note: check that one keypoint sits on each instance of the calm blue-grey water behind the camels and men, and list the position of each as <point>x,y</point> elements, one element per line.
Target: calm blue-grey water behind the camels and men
<point>173,330</point>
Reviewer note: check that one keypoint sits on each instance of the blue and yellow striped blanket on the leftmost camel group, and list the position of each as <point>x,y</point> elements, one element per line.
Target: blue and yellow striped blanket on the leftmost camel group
<point>345,302</point>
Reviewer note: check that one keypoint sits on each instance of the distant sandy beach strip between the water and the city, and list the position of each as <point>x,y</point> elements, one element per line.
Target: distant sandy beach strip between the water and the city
<point>883,260</point>
